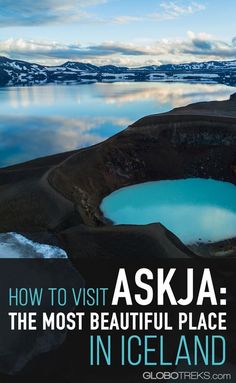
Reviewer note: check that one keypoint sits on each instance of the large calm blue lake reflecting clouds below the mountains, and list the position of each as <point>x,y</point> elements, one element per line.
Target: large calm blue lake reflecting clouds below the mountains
<point>42,120</point>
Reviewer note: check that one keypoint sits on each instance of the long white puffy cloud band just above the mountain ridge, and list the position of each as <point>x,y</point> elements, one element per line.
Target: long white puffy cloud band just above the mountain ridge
<point>196,47</point>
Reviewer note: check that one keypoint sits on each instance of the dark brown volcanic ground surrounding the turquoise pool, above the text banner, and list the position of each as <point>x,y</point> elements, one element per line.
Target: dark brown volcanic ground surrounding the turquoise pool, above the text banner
<point>57,198</point>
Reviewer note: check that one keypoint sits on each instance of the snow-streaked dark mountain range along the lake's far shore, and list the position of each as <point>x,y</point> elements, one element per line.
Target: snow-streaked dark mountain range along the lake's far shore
<point>18,72</point>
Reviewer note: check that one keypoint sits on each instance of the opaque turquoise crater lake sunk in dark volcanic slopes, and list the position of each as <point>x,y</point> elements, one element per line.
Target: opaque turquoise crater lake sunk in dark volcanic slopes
<point>194,209</point>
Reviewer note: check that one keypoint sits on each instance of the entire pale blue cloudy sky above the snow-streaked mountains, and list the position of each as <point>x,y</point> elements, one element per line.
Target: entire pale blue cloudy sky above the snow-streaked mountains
<point>118,32</point>
